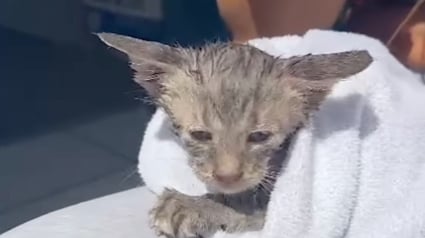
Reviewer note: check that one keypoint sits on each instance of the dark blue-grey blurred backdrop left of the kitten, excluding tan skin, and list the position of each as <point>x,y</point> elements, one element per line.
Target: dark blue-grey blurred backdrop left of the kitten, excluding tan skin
<point>71,119</point>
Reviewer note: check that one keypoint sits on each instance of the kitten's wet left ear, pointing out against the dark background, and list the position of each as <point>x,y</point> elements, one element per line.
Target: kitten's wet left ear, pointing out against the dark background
<point>151,60</point>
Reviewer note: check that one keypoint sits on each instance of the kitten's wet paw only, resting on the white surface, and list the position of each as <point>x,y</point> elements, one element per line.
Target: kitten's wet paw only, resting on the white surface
<point>179,216</point>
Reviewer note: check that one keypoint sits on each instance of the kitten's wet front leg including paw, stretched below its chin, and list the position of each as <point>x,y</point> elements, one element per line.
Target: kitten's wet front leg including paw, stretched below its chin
<point>181,216</point>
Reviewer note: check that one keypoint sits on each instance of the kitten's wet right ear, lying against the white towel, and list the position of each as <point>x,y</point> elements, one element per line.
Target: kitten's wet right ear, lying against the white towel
<point>315,75</point>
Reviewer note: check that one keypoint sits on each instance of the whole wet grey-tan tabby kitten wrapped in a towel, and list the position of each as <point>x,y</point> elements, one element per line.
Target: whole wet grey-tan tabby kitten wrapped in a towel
<point>233,106</point>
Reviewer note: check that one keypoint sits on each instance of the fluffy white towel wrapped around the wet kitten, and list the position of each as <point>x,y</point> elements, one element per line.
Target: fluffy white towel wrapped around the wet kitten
<point>356,170</point>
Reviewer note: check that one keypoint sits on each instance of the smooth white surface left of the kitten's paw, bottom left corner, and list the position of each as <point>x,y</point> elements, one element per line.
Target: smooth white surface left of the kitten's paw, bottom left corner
<point>121,215</point>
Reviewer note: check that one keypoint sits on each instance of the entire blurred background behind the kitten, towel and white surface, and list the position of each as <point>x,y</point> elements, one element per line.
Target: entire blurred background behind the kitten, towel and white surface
<point>71,119</point>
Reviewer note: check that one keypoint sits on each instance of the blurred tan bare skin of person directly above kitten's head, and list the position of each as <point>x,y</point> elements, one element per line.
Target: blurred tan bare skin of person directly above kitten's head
<point>248,19</point>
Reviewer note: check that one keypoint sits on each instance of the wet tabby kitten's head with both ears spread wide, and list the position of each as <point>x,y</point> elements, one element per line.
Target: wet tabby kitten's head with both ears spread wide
<point>233,105</point>
